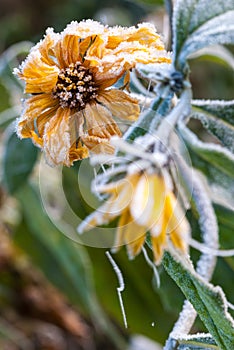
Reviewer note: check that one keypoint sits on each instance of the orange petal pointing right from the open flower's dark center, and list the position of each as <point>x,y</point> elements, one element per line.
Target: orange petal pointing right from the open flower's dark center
<point>120,104</point>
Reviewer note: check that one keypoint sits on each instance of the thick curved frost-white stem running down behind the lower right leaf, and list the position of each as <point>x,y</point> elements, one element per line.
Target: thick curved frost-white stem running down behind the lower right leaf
<point>209,230</point>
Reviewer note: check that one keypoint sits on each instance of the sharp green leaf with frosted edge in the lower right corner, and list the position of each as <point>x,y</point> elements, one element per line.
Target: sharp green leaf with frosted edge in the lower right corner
<point>208,301</point>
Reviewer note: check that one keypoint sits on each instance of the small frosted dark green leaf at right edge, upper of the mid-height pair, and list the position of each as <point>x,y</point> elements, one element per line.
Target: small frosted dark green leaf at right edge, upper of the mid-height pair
<point>222,130</point>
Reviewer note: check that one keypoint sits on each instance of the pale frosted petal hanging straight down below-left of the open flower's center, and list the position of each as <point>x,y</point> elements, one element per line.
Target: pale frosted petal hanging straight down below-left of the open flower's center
<point>57,138</point>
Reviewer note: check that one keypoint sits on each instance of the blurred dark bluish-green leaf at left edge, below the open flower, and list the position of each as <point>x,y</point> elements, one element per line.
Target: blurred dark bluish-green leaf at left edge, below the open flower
<point>18,162</point>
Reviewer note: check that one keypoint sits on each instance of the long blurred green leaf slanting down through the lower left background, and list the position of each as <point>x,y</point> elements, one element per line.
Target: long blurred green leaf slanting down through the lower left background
<point>65,263</point>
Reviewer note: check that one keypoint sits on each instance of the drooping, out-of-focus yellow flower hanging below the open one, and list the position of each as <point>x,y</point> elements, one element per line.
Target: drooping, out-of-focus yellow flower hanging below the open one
<point>145,203</point>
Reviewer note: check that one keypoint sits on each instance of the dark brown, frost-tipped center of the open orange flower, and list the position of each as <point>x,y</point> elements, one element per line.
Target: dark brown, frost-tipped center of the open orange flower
<point>75,86</point>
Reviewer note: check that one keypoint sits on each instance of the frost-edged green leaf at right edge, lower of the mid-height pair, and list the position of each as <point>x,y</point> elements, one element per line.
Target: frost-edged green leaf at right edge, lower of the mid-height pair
<point>215,154</point>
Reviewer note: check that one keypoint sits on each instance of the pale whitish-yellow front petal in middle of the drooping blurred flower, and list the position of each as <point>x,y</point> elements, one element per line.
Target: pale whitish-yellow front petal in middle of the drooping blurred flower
<point>147,204</point>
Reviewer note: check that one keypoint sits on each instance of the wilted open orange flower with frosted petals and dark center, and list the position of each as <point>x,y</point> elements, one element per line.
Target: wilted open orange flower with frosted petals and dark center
<point>69,77</point>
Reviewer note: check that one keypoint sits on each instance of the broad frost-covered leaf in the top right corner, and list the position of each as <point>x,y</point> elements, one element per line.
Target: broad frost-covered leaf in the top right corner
<point>200,23</point>
